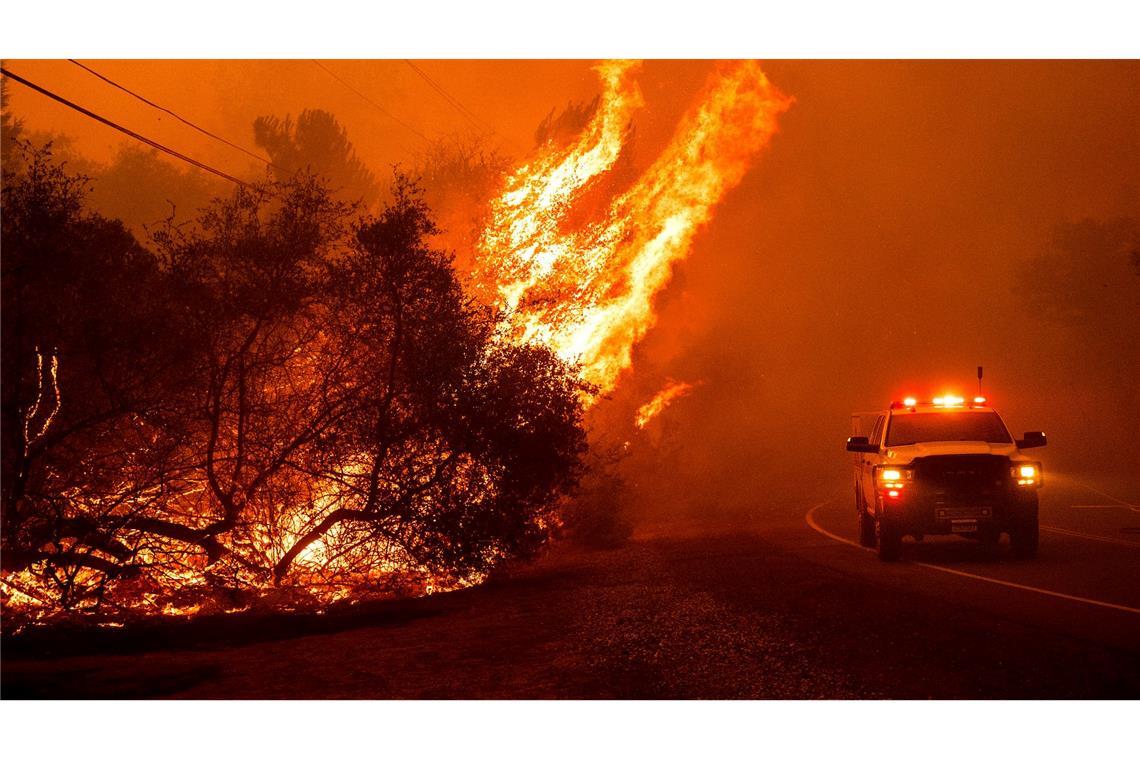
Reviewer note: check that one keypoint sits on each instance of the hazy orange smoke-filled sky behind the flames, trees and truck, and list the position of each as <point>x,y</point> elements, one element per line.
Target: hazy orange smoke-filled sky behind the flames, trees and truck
<point>885,243</point>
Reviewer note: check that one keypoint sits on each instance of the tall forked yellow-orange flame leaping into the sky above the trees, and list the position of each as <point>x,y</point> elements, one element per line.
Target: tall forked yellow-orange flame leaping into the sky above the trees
<point>589,293</point>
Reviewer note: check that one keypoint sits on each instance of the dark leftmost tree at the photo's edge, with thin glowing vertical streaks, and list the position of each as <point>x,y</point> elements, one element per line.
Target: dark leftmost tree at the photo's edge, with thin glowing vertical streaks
<point>94,362</point>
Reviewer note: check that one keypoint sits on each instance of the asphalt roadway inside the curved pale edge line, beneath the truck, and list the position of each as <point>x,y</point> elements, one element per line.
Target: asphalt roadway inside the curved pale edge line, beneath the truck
<point>1085,583</point>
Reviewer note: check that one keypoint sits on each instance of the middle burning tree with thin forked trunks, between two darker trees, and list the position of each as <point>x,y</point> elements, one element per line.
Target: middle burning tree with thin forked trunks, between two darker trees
<point>254,277</point>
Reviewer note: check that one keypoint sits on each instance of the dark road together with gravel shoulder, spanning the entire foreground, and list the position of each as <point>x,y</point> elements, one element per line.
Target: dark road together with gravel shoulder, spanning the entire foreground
<point>773,603</point>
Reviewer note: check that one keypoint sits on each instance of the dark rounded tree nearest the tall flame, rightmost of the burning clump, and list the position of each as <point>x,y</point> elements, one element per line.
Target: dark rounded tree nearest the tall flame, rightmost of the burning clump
<point>454,451</point>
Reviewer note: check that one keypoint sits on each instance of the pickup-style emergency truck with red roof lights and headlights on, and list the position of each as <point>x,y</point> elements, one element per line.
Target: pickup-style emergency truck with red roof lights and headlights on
<point>941,468</point>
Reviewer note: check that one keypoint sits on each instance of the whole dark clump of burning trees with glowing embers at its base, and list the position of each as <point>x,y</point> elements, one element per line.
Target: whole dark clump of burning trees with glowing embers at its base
<point>280,396</point>
